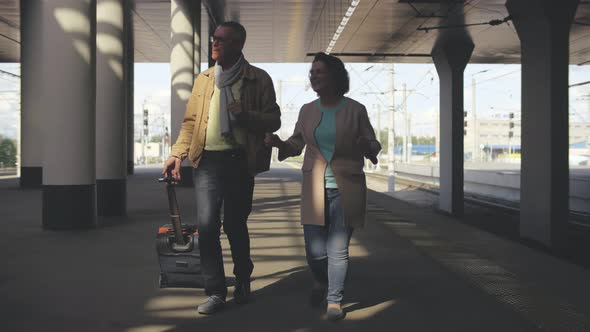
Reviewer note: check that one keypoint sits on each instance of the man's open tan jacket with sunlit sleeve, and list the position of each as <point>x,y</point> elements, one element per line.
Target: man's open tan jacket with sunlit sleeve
<point>260,114</point>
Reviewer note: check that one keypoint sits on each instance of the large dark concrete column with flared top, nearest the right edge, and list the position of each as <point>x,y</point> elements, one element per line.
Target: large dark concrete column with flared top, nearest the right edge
<point>543,28</point>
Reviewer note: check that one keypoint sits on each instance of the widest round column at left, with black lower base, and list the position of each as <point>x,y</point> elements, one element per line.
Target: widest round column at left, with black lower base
<point>68,84</point>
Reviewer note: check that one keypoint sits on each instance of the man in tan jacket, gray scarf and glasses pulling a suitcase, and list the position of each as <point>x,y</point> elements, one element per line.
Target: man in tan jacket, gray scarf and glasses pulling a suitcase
<point>231,108</point>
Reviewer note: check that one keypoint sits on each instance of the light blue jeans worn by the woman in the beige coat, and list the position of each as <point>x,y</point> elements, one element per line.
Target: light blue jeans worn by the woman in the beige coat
<point>327,247</point>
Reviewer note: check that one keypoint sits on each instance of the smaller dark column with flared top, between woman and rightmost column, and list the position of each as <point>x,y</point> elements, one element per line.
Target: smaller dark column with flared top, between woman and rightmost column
<point>451,54</point>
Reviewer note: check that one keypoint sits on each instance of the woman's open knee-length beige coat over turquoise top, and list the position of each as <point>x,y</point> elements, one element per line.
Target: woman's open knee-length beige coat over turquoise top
<point>347,162</point>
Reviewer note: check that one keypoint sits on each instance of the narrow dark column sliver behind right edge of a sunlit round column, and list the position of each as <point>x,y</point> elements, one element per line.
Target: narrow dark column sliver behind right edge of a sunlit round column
<point>129,74</point>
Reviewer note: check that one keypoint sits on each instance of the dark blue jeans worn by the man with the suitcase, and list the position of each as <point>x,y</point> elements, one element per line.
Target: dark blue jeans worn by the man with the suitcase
<point>222,179</point>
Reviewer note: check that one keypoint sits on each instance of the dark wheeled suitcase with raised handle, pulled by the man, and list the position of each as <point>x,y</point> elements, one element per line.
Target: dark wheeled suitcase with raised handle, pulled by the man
<point>179,258</point>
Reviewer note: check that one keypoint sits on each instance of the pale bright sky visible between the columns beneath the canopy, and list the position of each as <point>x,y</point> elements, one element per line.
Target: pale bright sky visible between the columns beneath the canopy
<point>497,92</point>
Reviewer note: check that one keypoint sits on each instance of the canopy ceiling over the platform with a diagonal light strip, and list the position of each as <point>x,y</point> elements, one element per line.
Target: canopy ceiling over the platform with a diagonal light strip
<point>286,30</point>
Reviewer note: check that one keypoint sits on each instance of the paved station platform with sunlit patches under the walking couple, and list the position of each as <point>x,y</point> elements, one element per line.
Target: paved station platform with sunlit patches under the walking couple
<point>411,270</point>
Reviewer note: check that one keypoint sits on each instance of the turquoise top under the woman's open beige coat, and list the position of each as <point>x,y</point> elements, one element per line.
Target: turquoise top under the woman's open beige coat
<point>325,136</point>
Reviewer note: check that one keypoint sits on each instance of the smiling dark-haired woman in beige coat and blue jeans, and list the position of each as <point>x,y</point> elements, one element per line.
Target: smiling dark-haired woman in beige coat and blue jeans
<point>338,134</point>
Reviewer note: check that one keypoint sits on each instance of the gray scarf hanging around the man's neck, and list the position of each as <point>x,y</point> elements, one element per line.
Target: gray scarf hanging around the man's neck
<point>224,79</point>
